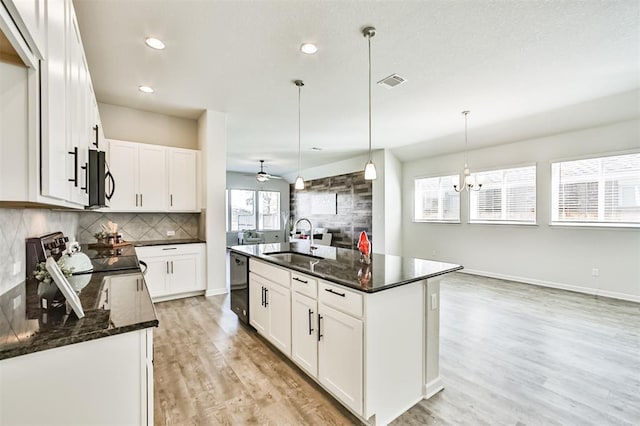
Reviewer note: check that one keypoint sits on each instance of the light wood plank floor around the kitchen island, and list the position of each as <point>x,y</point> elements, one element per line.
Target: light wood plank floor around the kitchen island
<point>511,354</point>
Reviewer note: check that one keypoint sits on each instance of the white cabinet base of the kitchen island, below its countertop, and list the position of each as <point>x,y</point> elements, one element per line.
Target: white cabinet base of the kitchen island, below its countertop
<point>376,353</point>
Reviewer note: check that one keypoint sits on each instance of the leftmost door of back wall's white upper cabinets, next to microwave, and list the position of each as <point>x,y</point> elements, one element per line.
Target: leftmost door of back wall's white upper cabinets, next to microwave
<point>123,163</point>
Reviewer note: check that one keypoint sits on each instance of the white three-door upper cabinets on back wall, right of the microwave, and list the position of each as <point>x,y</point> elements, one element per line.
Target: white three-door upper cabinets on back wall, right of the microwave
<point>153,177</point>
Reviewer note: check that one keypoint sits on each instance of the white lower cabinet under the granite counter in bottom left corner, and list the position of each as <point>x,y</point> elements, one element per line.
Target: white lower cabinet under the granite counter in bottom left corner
<point>107,381</point>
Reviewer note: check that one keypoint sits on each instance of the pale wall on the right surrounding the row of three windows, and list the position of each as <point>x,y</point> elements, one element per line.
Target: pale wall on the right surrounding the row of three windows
<point>554,256</point>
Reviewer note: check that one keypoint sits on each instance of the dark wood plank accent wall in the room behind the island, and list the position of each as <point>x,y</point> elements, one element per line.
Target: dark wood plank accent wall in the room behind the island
<point>354,207</point>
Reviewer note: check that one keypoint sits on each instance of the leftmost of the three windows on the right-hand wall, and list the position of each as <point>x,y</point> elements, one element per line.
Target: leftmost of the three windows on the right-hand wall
<point>436,200</point>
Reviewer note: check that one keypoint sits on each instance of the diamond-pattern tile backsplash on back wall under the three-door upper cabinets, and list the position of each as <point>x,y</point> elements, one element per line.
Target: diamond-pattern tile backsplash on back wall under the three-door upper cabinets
<point>140,226</point>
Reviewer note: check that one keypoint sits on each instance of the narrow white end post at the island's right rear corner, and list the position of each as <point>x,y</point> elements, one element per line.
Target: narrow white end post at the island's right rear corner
<point>432,381</point>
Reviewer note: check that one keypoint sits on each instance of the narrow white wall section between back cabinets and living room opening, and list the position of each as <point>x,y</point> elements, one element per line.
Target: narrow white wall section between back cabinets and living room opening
<point>212,141</point>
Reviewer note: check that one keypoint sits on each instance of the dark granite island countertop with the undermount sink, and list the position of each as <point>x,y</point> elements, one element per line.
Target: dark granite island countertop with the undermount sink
<point>344,266</point>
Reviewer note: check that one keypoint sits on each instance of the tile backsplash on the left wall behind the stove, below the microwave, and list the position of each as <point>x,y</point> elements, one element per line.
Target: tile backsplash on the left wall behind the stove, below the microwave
<point>18,224</point>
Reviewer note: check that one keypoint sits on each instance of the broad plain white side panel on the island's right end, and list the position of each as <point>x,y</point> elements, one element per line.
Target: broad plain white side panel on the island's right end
<point>393,356</point>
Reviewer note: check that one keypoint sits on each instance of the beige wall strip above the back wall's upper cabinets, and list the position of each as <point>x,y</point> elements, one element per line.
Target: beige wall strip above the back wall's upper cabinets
<point>134,125</point>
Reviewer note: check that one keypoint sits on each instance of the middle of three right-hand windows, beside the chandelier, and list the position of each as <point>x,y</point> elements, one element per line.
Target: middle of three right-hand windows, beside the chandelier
<point>507,196</point>
